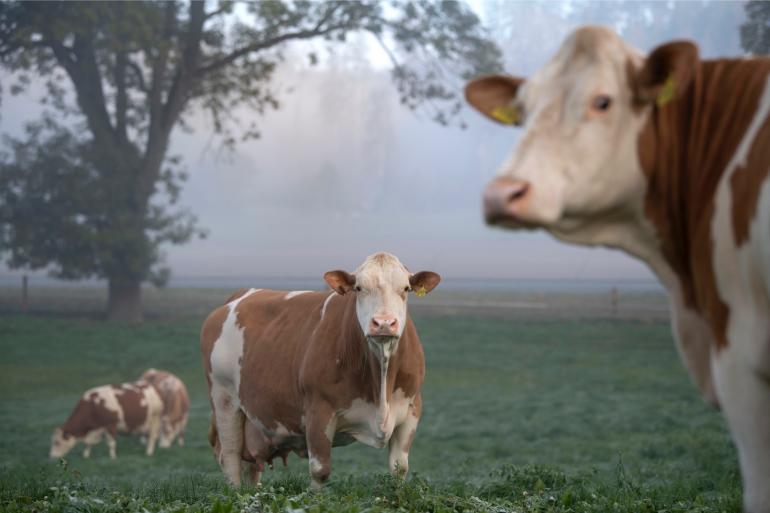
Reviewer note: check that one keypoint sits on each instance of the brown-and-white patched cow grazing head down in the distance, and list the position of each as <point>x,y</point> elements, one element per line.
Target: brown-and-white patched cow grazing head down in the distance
<point>133,408</point>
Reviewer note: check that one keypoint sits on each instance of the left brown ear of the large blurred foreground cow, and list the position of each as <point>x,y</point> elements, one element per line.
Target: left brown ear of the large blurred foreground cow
<point>493,96</point>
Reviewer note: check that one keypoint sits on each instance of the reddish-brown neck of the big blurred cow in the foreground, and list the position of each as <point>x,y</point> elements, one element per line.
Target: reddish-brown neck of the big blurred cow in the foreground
<point>684,149</point>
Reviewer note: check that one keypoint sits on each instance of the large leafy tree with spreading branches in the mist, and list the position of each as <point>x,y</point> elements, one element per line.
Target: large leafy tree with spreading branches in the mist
<point>91,195</point>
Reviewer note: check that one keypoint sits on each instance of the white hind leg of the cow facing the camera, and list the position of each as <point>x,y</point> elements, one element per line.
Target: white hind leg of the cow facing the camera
<point>229,427</point>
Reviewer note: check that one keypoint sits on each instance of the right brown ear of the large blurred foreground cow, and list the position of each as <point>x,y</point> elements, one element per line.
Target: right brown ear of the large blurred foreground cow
<point>666,73</point>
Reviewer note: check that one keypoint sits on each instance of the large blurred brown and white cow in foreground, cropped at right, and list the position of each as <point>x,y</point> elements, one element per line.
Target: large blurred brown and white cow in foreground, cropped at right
<point>665,156</point>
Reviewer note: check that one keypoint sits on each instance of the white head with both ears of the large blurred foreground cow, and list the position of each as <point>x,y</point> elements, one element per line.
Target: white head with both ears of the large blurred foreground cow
<point>578,160</point>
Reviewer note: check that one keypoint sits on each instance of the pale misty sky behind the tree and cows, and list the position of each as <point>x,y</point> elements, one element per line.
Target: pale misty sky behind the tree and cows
<point>342,170</point>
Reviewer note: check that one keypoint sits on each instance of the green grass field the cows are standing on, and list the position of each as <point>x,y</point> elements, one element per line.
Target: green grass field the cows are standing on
<point>520,415</point>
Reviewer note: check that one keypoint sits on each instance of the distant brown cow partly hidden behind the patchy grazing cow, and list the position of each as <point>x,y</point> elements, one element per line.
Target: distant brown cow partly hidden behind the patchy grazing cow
<point>176,405</point>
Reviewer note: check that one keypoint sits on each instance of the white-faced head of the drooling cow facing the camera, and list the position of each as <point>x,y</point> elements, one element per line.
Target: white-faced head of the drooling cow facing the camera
<point>381,285</point>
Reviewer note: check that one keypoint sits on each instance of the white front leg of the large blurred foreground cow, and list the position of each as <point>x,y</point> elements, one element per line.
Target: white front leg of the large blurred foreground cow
<point>744,393</point>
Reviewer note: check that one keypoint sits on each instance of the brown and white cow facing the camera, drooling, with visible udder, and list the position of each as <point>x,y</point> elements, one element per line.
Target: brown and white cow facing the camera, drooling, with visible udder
<point>304,371</point>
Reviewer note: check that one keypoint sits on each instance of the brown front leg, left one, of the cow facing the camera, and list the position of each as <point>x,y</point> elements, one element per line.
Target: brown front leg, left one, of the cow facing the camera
<point>320,426</point>
